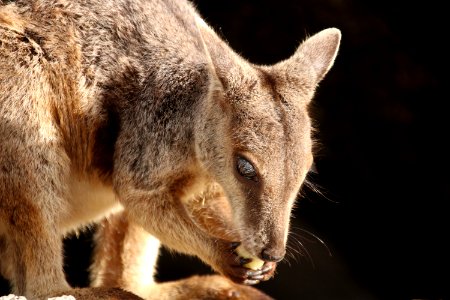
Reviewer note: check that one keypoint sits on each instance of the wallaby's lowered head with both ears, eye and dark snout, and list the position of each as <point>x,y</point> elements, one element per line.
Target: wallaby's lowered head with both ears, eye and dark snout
<point>255,136</point>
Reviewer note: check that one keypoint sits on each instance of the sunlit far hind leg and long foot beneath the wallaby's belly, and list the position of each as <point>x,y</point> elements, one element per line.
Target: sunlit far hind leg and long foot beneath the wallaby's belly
<point>125,256</point>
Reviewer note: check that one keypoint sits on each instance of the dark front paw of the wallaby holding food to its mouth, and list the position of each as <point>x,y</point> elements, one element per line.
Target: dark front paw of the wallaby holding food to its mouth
<point>231,265</point>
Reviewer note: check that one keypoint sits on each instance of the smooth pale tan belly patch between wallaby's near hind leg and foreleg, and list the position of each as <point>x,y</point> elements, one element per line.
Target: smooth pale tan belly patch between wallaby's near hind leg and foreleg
<point>89,201</point>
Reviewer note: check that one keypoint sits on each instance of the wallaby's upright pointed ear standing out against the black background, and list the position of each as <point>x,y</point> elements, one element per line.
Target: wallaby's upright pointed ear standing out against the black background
<point>315,55</point>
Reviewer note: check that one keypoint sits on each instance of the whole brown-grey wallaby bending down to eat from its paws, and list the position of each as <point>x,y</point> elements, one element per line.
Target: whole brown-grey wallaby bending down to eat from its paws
<point>138,107</point>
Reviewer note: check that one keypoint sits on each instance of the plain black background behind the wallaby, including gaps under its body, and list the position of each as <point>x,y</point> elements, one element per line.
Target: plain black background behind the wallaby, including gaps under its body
<point>382,121</point>
